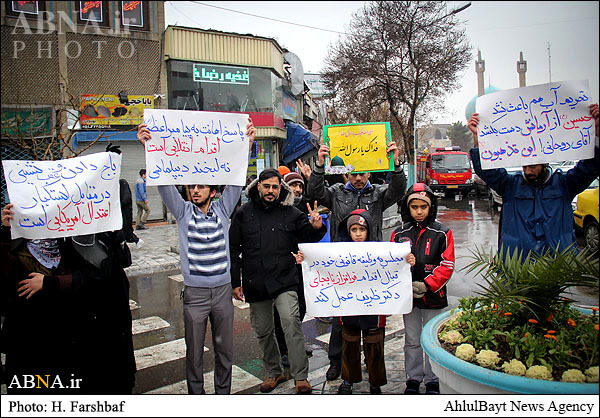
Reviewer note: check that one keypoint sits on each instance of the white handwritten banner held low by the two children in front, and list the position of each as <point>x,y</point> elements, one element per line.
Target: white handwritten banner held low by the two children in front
<point>356,278</point>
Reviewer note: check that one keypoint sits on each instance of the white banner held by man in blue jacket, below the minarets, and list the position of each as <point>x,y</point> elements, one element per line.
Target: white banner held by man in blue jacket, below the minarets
<point>535,125</point>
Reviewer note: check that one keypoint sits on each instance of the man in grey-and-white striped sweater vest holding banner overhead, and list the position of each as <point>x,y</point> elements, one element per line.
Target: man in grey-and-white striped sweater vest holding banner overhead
<point>205,265</point>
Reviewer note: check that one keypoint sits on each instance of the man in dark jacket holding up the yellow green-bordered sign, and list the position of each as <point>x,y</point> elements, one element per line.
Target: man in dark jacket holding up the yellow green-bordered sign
<point>341,199</point>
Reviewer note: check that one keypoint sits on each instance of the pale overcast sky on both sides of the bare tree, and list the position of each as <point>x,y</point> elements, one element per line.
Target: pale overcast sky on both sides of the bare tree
<point>499,29</point>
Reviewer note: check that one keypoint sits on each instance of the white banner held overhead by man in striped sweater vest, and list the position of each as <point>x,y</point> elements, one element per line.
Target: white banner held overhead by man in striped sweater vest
<point>193,147</point>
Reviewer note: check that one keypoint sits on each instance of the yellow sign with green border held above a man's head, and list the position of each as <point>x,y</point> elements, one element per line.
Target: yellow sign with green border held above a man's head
<point>362,147</point>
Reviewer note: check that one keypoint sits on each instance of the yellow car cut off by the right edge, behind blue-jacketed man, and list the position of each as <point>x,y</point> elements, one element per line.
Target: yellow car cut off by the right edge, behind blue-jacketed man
<point>585,215</point>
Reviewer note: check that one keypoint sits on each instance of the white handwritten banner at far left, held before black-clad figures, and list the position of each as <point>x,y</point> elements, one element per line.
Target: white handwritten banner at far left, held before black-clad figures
<point>64,198</point>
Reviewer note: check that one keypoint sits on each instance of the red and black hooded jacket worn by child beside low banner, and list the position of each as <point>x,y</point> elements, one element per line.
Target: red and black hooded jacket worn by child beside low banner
<point>432,243</point>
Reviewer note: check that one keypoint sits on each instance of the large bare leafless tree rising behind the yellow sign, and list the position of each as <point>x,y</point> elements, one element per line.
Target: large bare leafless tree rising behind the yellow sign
<point>407,55</point>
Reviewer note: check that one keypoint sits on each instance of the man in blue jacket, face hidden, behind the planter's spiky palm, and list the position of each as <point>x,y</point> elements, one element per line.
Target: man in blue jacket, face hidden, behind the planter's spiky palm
<point>536,206</point>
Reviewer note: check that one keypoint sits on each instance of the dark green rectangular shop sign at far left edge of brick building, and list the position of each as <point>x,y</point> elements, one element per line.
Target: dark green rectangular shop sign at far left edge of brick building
<point>27,122</point>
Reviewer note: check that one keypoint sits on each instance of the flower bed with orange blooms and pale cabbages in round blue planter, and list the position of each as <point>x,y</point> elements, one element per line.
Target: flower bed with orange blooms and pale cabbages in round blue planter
<point>563,347</point>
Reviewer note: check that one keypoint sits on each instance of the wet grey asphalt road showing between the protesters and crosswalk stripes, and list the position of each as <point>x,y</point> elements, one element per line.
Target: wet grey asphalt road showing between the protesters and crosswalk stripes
<point>471,220</point>
